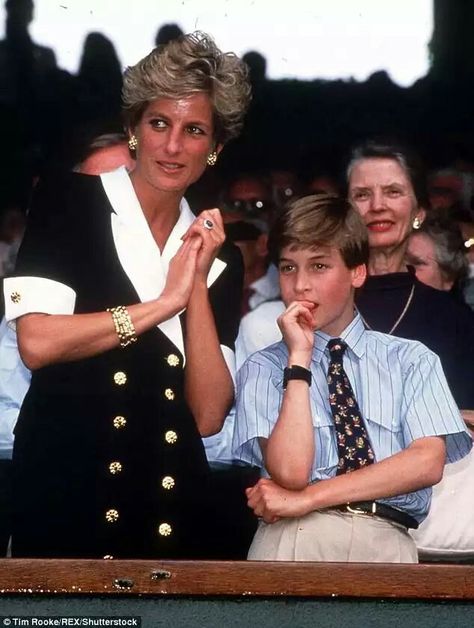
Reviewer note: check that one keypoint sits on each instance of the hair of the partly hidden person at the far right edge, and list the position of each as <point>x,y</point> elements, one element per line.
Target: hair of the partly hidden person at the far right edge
<point>450,252</point>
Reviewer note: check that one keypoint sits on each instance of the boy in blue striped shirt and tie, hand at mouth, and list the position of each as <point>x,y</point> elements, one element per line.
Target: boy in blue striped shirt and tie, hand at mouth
<point>351,427</point>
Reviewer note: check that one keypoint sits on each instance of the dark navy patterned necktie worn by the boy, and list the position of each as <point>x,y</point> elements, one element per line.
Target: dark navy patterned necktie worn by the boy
<point>353,445</point>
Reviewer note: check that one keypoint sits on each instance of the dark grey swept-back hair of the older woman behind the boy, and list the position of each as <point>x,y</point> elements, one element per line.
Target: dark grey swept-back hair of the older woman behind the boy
<point>406,158</point>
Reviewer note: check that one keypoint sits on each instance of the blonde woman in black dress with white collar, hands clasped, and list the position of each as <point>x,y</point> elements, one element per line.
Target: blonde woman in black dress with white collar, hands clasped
<point>126,309</point>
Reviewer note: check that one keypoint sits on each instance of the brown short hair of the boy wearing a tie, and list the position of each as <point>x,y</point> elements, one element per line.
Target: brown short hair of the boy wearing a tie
<point>321,220</point>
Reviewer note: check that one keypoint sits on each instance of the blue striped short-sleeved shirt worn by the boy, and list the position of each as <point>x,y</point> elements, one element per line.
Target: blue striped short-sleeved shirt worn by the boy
<point>400,388</point>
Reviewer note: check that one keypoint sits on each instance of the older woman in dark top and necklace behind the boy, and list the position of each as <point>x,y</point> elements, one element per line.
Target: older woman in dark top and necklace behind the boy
<point>386,184</point>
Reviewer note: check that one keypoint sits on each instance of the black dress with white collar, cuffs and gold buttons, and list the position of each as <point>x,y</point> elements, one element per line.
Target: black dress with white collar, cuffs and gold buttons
<point>108,461</point>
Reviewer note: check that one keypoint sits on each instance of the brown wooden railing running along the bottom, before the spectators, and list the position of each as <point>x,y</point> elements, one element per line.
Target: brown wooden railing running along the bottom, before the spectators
<point>203,578</point>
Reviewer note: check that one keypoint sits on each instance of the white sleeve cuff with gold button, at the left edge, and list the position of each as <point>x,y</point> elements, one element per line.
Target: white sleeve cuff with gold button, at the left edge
<point>25,295</point>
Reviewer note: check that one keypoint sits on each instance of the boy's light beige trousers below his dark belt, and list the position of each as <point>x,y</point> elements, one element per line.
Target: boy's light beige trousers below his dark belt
<point>334,536</point>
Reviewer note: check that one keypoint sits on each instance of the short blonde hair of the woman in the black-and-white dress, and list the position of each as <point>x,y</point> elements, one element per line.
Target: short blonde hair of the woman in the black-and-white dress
<point>188,65</point>
